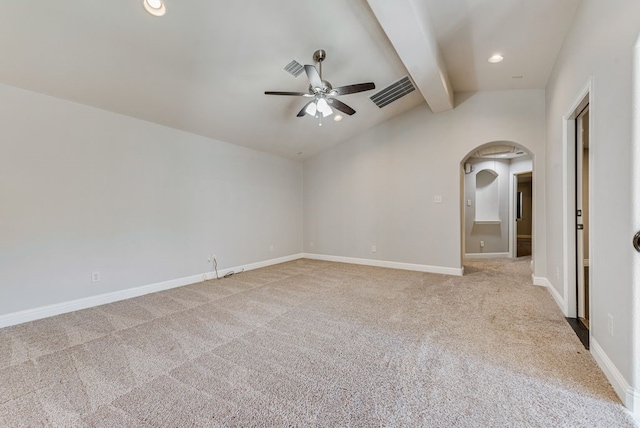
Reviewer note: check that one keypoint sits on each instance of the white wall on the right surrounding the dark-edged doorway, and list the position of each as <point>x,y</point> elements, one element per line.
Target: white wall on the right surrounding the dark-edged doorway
<point>600,47</point>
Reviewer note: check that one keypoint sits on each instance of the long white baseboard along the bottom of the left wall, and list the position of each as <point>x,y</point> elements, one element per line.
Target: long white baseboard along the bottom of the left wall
<point>103,299</point>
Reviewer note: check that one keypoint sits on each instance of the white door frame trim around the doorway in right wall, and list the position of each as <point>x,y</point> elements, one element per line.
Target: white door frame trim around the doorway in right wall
<point>569,280</point>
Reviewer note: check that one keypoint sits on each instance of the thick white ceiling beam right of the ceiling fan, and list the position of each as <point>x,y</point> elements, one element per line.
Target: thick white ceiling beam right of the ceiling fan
<point>414,40</point>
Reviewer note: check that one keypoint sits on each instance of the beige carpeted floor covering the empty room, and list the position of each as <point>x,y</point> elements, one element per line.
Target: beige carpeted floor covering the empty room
<point>311,343</point>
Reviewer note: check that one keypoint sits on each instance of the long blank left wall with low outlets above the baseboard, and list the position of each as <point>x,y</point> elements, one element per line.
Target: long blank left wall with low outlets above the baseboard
<point>85,190</point>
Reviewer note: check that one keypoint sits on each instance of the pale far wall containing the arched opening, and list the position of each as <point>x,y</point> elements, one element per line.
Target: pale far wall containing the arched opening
<point>379,188</point>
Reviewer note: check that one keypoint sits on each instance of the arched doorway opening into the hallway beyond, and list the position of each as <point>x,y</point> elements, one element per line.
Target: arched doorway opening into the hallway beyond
<point>497,201</point>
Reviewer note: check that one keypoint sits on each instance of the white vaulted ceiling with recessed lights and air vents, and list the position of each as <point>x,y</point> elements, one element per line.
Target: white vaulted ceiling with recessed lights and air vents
<point>204,66</point>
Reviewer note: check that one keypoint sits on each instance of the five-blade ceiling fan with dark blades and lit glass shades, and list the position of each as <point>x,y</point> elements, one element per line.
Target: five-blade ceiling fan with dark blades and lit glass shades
<point>323,94</point>
